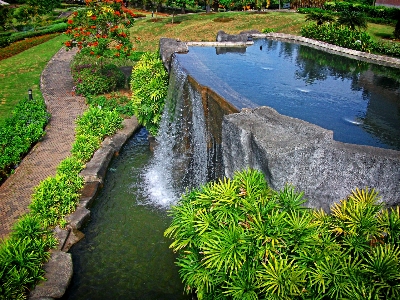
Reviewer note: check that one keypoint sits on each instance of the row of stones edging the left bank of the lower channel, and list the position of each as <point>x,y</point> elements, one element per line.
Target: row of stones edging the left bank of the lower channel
<point>59,269</point>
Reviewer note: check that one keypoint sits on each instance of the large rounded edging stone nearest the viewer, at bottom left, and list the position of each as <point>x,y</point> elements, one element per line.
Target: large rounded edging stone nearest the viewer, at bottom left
<point>59,271</point>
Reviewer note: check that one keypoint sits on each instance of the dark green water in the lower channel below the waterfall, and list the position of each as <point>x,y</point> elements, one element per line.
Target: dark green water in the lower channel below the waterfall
<point>124,254</point>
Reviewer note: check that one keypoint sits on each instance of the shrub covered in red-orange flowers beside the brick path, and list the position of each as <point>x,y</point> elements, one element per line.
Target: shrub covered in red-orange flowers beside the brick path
<point>102,29</point>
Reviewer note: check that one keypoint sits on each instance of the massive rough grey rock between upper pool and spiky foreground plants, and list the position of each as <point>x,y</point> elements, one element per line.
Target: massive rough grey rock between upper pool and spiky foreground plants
<point>289,150</point>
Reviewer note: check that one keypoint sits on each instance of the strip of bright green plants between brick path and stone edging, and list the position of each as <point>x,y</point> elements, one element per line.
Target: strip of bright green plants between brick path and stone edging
<point>22,255</point>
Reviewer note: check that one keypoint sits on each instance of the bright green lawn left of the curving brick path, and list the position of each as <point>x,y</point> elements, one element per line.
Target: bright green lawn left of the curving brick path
<point>22,72</point>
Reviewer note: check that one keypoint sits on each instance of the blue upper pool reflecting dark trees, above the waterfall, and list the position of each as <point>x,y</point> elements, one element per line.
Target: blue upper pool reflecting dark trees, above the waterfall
<point>358,101</point>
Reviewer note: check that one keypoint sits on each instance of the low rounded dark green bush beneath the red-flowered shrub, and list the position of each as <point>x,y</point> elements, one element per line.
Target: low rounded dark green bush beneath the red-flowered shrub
<point>97,79</point>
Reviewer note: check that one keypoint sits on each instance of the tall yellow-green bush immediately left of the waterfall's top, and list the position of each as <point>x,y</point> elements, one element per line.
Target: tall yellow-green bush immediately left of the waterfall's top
<point>149,86</point>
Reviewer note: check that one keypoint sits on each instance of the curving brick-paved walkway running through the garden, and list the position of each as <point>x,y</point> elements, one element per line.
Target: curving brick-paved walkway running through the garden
<point>43,159</point>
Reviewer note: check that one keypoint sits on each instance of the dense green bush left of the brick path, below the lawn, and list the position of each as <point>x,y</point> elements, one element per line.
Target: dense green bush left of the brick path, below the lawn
<point>24,128</point>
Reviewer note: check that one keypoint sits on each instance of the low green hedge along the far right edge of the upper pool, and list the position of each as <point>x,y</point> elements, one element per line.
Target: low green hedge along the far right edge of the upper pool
<point>338,35</point>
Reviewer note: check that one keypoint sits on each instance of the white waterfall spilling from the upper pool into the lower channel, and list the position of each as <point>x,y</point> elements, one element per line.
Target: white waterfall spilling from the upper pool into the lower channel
<point>181,158</point>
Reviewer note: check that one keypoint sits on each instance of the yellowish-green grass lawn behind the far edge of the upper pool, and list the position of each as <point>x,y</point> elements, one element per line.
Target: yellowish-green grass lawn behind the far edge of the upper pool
<point>202,27</point>
